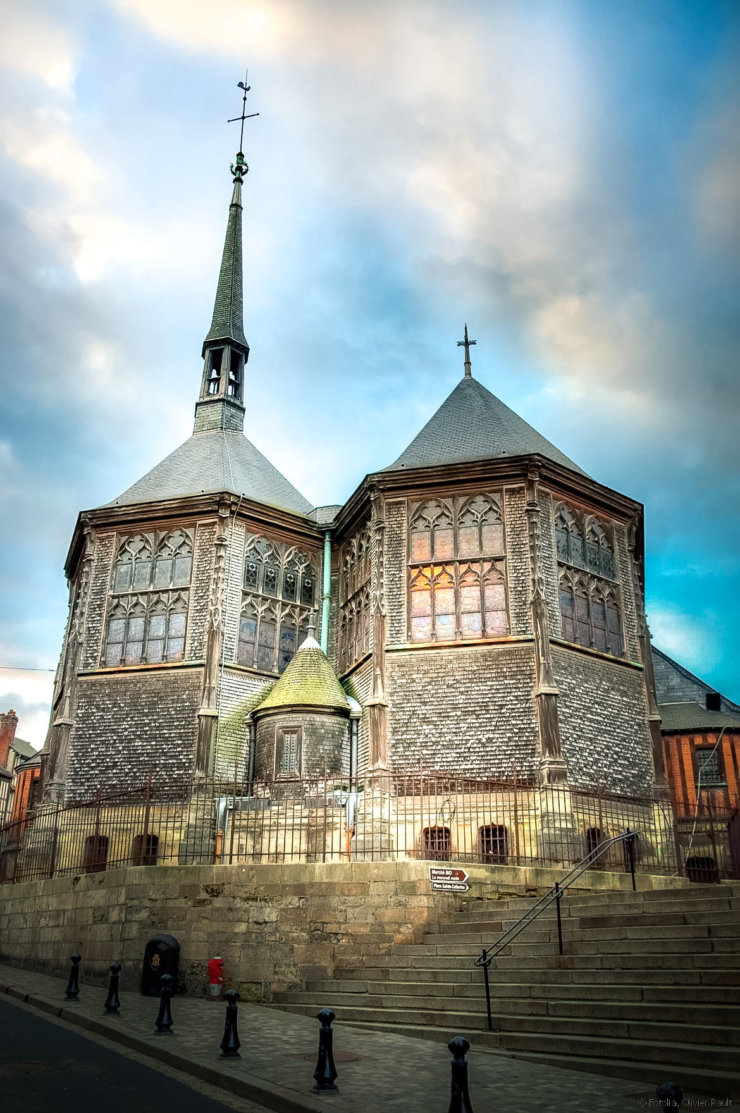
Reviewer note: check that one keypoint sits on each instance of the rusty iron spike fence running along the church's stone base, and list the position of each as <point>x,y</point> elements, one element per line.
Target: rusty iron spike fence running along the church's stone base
<point>429,816</point>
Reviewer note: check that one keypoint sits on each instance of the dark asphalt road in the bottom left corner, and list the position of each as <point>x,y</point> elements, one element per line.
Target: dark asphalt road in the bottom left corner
<point>46,1067</point>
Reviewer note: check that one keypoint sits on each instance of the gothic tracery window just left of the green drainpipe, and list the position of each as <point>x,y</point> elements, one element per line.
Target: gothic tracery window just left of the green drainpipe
<point>279,595</point>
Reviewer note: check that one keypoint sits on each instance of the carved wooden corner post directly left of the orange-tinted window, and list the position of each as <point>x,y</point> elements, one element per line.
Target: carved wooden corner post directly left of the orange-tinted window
<point>378,705</point>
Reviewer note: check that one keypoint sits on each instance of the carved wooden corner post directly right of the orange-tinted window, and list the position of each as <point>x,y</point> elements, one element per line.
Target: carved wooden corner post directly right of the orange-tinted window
<point>552,765</point>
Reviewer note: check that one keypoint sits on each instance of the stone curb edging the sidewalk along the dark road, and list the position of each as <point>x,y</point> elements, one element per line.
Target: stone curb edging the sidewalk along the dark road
<point>265,1094</point>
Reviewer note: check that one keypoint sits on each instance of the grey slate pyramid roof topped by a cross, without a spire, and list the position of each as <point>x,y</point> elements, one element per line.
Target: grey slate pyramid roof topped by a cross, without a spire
<point>473,425</point>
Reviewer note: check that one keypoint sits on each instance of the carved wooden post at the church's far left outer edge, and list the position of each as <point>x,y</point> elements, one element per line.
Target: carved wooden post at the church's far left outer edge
<point>63,716</point>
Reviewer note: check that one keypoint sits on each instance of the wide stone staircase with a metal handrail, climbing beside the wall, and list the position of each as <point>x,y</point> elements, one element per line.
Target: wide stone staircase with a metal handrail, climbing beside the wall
<point>648,988</point>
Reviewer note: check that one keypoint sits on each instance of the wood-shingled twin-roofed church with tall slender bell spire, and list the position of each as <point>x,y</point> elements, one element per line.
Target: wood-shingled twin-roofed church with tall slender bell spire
<point>479,606</point>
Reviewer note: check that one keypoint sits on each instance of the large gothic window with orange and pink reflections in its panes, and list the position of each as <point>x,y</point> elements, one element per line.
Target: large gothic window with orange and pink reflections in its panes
<point>465,595</point>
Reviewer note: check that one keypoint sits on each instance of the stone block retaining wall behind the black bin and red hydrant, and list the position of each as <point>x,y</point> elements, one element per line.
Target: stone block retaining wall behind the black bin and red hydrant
<point>275,927</point>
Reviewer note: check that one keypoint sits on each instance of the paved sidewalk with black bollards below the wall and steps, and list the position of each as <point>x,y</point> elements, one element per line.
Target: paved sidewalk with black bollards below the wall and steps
<point>377,1071</point>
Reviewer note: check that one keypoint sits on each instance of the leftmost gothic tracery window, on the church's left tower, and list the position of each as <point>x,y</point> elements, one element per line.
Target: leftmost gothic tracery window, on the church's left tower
<point>149,607</point>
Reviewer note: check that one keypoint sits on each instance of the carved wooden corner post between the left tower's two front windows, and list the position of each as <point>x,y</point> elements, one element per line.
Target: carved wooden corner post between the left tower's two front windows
<point>209,713</point>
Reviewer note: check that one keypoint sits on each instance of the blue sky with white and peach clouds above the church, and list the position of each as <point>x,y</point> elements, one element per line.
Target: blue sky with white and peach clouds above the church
<point>564,176</point>
